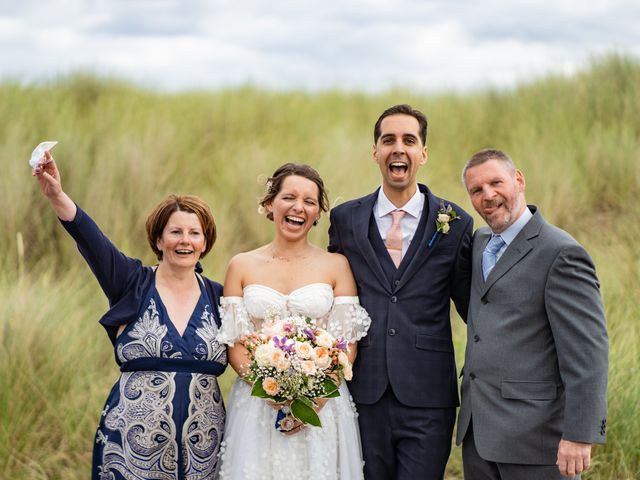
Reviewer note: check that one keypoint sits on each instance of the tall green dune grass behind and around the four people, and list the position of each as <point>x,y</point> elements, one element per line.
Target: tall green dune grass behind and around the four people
<point>122,149</point>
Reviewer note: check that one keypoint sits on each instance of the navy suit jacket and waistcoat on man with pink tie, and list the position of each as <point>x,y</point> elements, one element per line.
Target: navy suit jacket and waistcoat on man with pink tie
<point>409,343</point>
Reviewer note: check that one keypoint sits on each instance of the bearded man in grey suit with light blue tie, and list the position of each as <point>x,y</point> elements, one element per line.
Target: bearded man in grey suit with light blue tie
<point>535,376</point>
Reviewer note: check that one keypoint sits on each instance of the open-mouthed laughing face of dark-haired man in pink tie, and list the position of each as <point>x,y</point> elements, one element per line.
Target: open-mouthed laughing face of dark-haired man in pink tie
<point>399,152</point>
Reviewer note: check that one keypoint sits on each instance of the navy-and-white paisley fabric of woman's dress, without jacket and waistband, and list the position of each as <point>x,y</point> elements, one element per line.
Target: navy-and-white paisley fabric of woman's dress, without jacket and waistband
<point>165,425</point>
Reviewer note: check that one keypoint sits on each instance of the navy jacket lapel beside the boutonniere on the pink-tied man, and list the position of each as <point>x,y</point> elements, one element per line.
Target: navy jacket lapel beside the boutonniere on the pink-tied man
<point>422,251</point>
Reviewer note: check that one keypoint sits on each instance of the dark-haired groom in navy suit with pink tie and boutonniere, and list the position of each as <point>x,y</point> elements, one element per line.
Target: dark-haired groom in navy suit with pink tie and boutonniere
<point>410,254</point>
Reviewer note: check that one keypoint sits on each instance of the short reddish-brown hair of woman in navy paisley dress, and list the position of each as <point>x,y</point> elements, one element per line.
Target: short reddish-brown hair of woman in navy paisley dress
<point>158,218</point>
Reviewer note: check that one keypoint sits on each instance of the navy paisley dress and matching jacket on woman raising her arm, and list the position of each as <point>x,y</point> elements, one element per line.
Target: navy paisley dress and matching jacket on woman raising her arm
<point>164,417</point>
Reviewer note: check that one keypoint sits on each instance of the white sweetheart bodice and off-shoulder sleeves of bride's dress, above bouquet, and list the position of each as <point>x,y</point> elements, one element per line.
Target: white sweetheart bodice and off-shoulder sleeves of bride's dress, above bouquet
<point>340,316</point>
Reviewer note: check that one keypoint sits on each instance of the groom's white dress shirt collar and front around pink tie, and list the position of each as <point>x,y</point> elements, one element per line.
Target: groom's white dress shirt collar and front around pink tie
<point>409,223</point>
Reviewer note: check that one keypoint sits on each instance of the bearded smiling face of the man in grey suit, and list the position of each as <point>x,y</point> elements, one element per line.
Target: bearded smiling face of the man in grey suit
<point>496,192</point>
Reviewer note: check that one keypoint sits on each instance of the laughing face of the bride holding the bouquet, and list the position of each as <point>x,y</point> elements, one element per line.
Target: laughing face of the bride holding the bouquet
<point>295,207</point>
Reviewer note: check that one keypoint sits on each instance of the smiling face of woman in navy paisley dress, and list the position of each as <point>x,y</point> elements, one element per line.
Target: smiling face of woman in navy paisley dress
<point>182,240</point>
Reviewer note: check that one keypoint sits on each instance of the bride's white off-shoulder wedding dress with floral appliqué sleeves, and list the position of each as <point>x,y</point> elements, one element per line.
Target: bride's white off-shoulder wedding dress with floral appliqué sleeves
<point>252,447</point>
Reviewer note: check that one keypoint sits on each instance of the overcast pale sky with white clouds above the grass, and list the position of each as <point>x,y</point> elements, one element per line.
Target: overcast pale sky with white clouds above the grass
<point>368,45</point>
